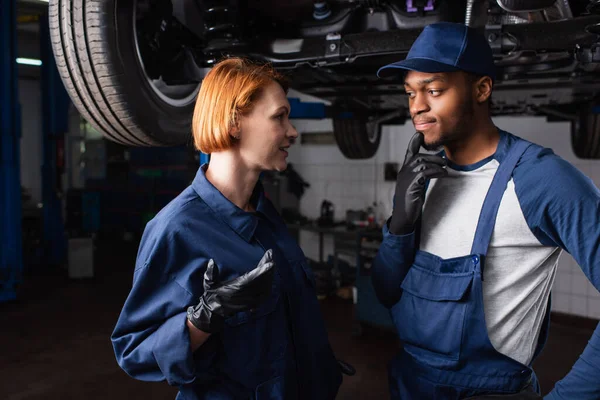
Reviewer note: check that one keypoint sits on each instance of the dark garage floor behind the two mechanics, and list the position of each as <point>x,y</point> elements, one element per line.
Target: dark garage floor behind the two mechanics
<point>55,341</point>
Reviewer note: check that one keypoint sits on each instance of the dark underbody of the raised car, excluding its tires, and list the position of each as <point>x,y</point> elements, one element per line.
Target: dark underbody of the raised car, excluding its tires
<point>545,50</point>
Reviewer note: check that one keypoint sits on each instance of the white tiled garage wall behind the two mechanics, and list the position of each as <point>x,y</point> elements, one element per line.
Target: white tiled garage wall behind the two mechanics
<point>354,184</point>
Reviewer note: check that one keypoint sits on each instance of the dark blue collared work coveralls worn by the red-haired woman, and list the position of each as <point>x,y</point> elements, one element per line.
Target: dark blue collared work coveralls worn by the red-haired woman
<point>278,351</point>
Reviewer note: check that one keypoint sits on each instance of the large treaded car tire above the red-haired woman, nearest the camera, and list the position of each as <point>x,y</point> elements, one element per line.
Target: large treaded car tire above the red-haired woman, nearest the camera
<point>94,44</point>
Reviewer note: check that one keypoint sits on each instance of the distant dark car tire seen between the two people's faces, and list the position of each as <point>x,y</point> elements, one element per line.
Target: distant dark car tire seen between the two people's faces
<point>353,138</point>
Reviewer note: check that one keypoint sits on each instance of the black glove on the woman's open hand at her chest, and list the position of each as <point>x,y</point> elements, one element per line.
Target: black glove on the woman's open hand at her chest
<point>243,293</point>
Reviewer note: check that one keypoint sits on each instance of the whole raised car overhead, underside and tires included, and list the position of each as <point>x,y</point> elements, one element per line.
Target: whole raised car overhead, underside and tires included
<point>133,68</point>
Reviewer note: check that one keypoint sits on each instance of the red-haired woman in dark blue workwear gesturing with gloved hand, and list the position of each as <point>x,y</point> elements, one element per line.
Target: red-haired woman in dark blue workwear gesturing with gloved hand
<point>223,302</point>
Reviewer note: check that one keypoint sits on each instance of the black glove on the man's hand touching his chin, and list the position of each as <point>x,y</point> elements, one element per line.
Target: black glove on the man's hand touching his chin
<point>410,185</point>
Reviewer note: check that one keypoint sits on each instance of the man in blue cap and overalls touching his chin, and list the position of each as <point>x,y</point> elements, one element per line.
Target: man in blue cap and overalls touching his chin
<point>470,252</point>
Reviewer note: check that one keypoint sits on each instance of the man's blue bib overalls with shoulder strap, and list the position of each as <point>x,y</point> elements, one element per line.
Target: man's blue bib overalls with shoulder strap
<point>440,319</point>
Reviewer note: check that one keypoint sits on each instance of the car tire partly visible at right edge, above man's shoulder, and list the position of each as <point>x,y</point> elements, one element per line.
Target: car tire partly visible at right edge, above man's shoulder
<point>585,133</point>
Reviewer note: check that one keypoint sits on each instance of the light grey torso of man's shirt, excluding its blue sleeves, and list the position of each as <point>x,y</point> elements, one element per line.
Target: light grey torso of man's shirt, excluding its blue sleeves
<point>519,270</point>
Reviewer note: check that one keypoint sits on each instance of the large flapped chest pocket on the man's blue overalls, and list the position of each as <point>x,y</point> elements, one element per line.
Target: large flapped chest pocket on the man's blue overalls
<point>430,315</point>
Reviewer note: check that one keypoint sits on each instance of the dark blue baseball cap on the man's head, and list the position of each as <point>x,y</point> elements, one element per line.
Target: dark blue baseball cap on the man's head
<point>446,47</point>
